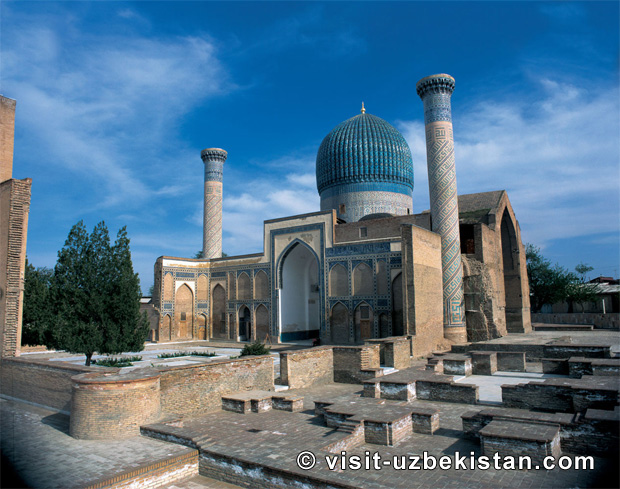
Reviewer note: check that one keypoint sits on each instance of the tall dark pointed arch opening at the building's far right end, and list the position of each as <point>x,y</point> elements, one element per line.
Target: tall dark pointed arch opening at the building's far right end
<point>512,278</point>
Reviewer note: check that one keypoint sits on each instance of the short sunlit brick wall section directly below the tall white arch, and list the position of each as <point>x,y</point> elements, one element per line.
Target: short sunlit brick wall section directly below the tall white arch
<point>304,368</point>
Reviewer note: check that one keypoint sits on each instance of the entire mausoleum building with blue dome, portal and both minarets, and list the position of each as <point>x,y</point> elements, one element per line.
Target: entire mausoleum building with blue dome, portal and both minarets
<point>363,267</point>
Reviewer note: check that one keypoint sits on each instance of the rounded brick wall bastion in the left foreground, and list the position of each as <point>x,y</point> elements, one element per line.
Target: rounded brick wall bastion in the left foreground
<point>113,406</point>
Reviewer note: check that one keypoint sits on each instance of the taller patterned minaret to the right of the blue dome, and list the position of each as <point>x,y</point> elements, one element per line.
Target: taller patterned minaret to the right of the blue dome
<point>435,92</point>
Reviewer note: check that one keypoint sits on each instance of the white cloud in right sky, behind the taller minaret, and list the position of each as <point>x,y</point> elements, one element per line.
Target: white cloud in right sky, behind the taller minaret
<point>557,157</point>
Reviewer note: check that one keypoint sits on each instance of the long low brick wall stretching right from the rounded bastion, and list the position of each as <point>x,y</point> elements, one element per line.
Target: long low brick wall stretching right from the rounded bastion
<point>198,389</point>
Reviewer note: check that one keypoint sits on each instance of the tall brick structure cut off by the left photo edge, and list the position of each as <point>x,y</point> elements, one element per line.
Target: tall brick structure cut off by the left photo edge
<point>14,208</point>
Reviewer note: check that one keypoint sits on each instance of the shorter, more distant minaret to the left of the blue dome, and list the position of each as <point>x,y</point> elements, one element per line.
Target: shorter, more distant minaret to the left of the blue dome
<point>214,159</point>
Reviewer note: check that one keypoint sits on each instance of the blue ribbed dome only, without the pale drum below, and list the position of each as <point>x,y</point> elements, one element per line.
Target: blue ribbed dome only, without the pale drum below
<point>364,149</point>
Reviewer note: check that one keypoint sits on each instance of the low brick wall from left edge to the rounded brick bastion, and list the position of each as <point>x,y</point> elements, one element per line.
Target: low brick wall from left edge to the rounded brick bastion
<point>41,381</point>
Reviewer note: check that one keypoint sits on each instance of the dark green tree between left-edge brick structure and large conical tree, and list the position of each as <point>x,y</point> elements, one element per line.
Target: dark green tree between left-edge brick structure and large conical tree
<point>37,317</point>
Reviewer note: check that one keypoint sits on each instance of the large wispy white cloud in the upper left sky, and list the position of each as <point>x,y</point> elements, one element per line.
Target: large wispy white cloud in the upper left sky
<point>92,105</point>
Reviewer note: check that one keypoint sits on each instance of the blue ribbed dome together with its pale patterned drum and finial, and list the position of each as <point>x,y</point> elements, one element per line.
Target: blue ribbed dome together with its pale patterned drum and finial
<point>364,167</point>
